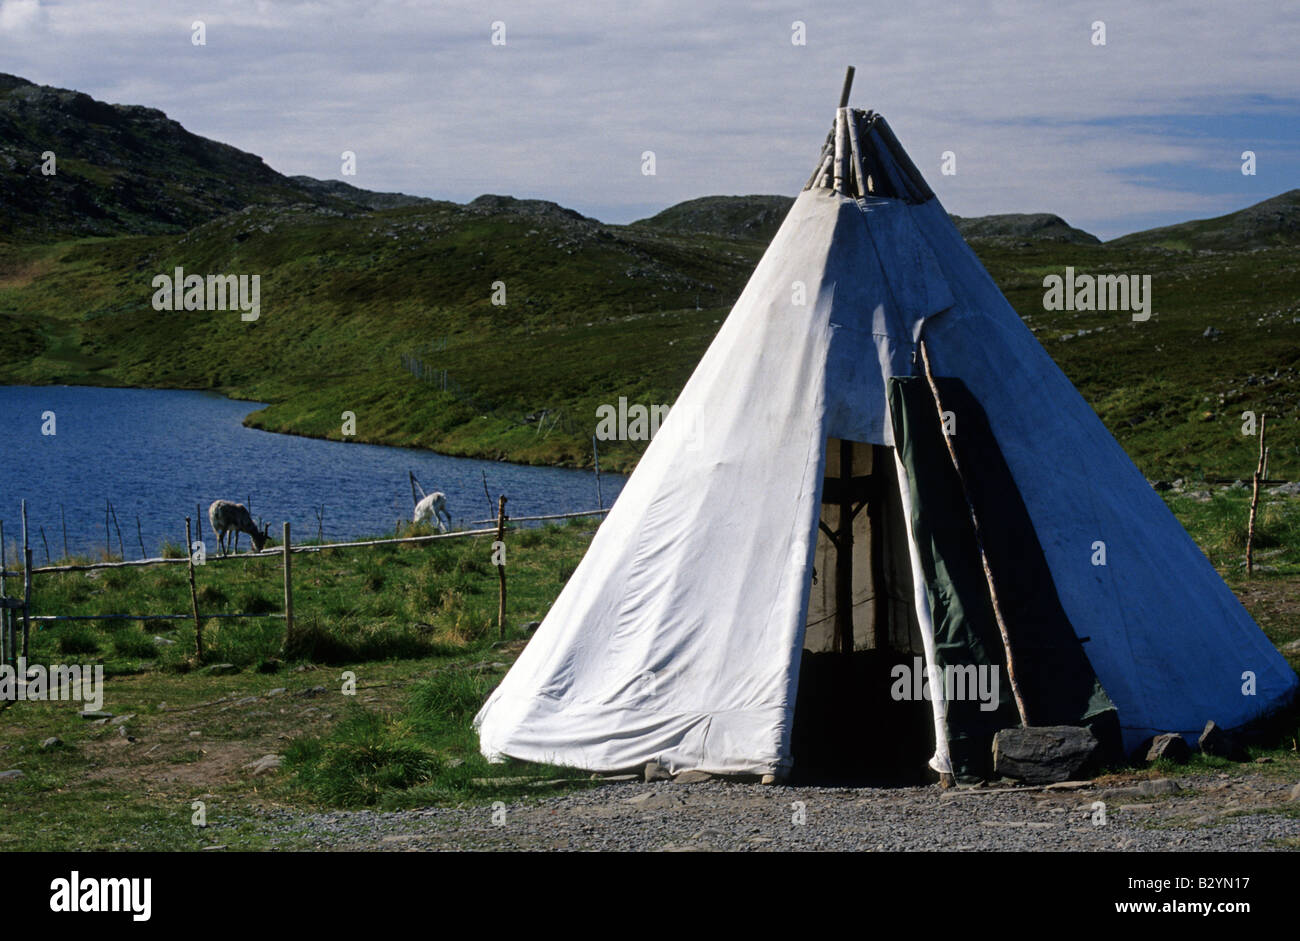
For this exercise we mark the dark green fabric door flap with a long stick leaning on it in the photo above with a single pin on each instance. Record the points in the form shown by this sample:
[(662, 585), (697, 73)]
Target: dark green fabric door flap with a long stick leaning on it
[(1058, 682)]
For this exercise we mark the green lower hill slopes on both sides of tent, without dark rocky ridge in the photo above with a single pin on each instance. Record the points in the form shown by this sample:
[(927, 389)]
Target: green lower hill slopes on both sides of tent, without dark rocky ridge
[(596, 313)]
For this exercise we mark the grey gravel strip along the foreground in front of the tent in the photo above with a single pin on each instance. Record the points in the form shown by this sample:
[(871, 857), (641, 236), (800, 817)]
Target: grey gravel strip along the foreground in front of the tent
[(1202, 814)]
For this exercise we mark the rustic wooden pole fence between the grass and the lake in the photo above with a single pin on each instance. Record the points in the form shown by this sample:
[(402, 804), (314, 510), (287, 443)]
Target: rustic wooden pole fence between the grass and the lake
[(16, 612)]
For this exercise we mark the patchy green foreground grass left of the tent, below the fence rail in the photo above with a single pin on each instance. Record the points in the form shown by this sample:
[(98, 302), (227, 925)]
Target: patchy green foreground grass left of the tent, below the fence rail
[(421, 647)]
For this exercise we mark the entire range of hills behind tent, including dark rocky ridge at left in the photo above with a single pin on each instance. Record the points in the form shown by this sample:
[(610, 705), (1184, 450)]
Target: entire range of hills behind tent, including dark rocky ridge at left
[(361, 289)]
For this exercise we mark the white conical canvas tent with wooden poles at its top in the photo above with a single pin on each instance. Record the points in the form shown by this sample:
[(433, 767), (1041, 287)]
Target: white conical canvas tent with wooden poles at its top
[(801, 506)]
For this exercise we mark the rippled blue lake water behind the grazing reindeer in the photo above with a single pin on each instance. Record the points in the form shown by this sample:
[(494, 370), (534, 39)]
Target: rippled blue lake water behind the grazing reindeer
[(157, 454)]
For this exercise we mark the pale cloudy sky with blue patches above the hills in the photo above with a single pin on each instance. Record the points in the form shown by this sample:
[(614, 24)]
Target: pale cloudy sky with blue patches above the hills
[(1147, 129)]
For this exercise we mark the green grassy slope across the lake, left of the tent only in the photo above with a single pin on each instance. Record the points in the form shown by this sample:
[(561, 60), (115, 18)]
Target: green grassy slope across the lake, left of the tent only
[(592, 313)]
